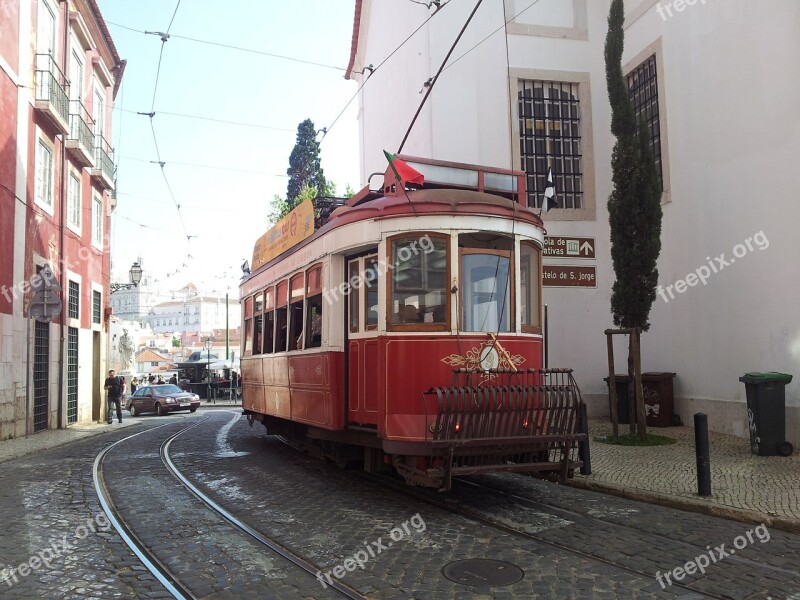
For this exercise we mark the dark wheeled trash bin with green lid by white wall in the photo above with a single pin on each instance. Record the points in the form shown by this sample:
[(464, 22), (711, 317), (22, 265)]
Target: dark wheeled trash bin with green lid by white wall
[(766, 413)]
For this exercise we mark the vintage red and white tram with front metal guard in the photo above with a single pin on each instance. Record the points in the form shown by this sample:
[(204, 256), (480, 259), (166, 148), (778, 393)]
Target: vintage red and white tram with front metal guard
[(403, 328)]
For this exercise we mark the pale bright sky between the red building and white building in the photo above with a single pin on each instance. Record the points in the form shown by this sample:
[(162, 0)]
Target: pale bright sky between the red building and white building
[(223, 176)]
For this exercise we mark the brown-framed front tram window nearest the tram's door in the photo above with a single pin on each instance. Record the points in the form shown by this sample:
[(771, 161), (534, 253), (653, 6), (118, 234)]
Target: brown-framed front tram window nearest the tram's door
[(418, 290)]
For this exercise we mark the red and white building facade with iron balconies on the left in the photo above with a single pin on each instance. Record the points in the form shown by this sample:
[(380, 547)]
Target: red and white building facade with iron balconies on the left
[(59, 75)]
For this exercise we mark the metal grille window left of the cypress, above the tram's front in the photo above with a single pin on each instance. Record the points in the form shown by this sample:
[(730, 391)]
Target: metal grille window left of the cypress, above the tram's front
[(550, 137)]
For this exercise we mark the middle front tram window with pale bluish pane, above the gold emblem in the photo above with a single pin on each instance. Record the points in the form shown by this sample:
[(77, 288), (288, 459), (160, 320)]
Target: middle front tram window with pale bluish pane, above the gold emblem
[(485, 290)]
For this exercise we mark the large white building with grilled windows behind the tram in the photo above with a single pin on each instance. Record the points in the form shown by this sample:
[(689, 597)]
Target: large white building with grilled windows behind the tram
[(718, 83)]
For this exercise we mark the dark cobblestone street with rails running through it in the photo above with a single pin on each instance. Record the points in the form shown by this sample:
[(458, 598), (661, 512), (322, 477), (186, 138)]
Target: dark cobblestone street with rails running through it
[(569, 543)]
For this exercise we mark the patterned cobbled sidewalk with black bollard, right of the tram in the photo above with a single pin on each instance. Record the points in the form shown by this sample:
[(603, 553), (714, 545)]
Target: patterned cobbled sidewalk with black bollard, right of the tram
[(758, 489)]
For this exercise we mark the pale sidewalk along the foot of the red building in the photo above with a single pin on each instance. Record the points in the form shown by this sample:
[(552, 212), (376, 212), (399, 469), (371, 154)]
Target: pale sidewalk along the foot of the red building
[(53, 438)]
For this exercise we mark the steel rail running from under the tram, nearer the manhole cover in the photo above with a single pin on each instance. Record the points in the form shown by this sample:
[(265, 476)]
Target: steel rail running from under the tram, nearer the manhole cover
[(476, 516)]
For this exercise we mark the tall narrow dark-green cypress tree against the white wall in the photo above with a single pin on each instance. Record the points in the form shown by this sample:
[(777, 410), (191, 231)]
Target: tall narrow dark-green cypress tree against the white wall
[(634, 206)]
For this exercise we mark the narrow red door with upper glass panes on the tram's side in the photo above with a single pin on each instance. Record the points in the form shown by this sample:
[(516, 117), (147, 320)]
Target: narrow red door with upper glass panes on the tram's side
[(362, 341)]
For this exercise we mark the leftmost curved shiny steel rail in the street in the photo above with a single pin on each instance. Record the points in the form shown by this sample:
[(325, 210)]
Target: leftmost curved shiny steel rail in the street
[(149, 560)]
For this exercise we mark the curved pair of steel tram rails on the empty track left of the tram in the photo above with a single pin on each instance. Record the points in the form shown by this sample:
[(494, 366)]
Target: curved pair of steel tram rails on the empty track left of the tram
[(158, 568)]
